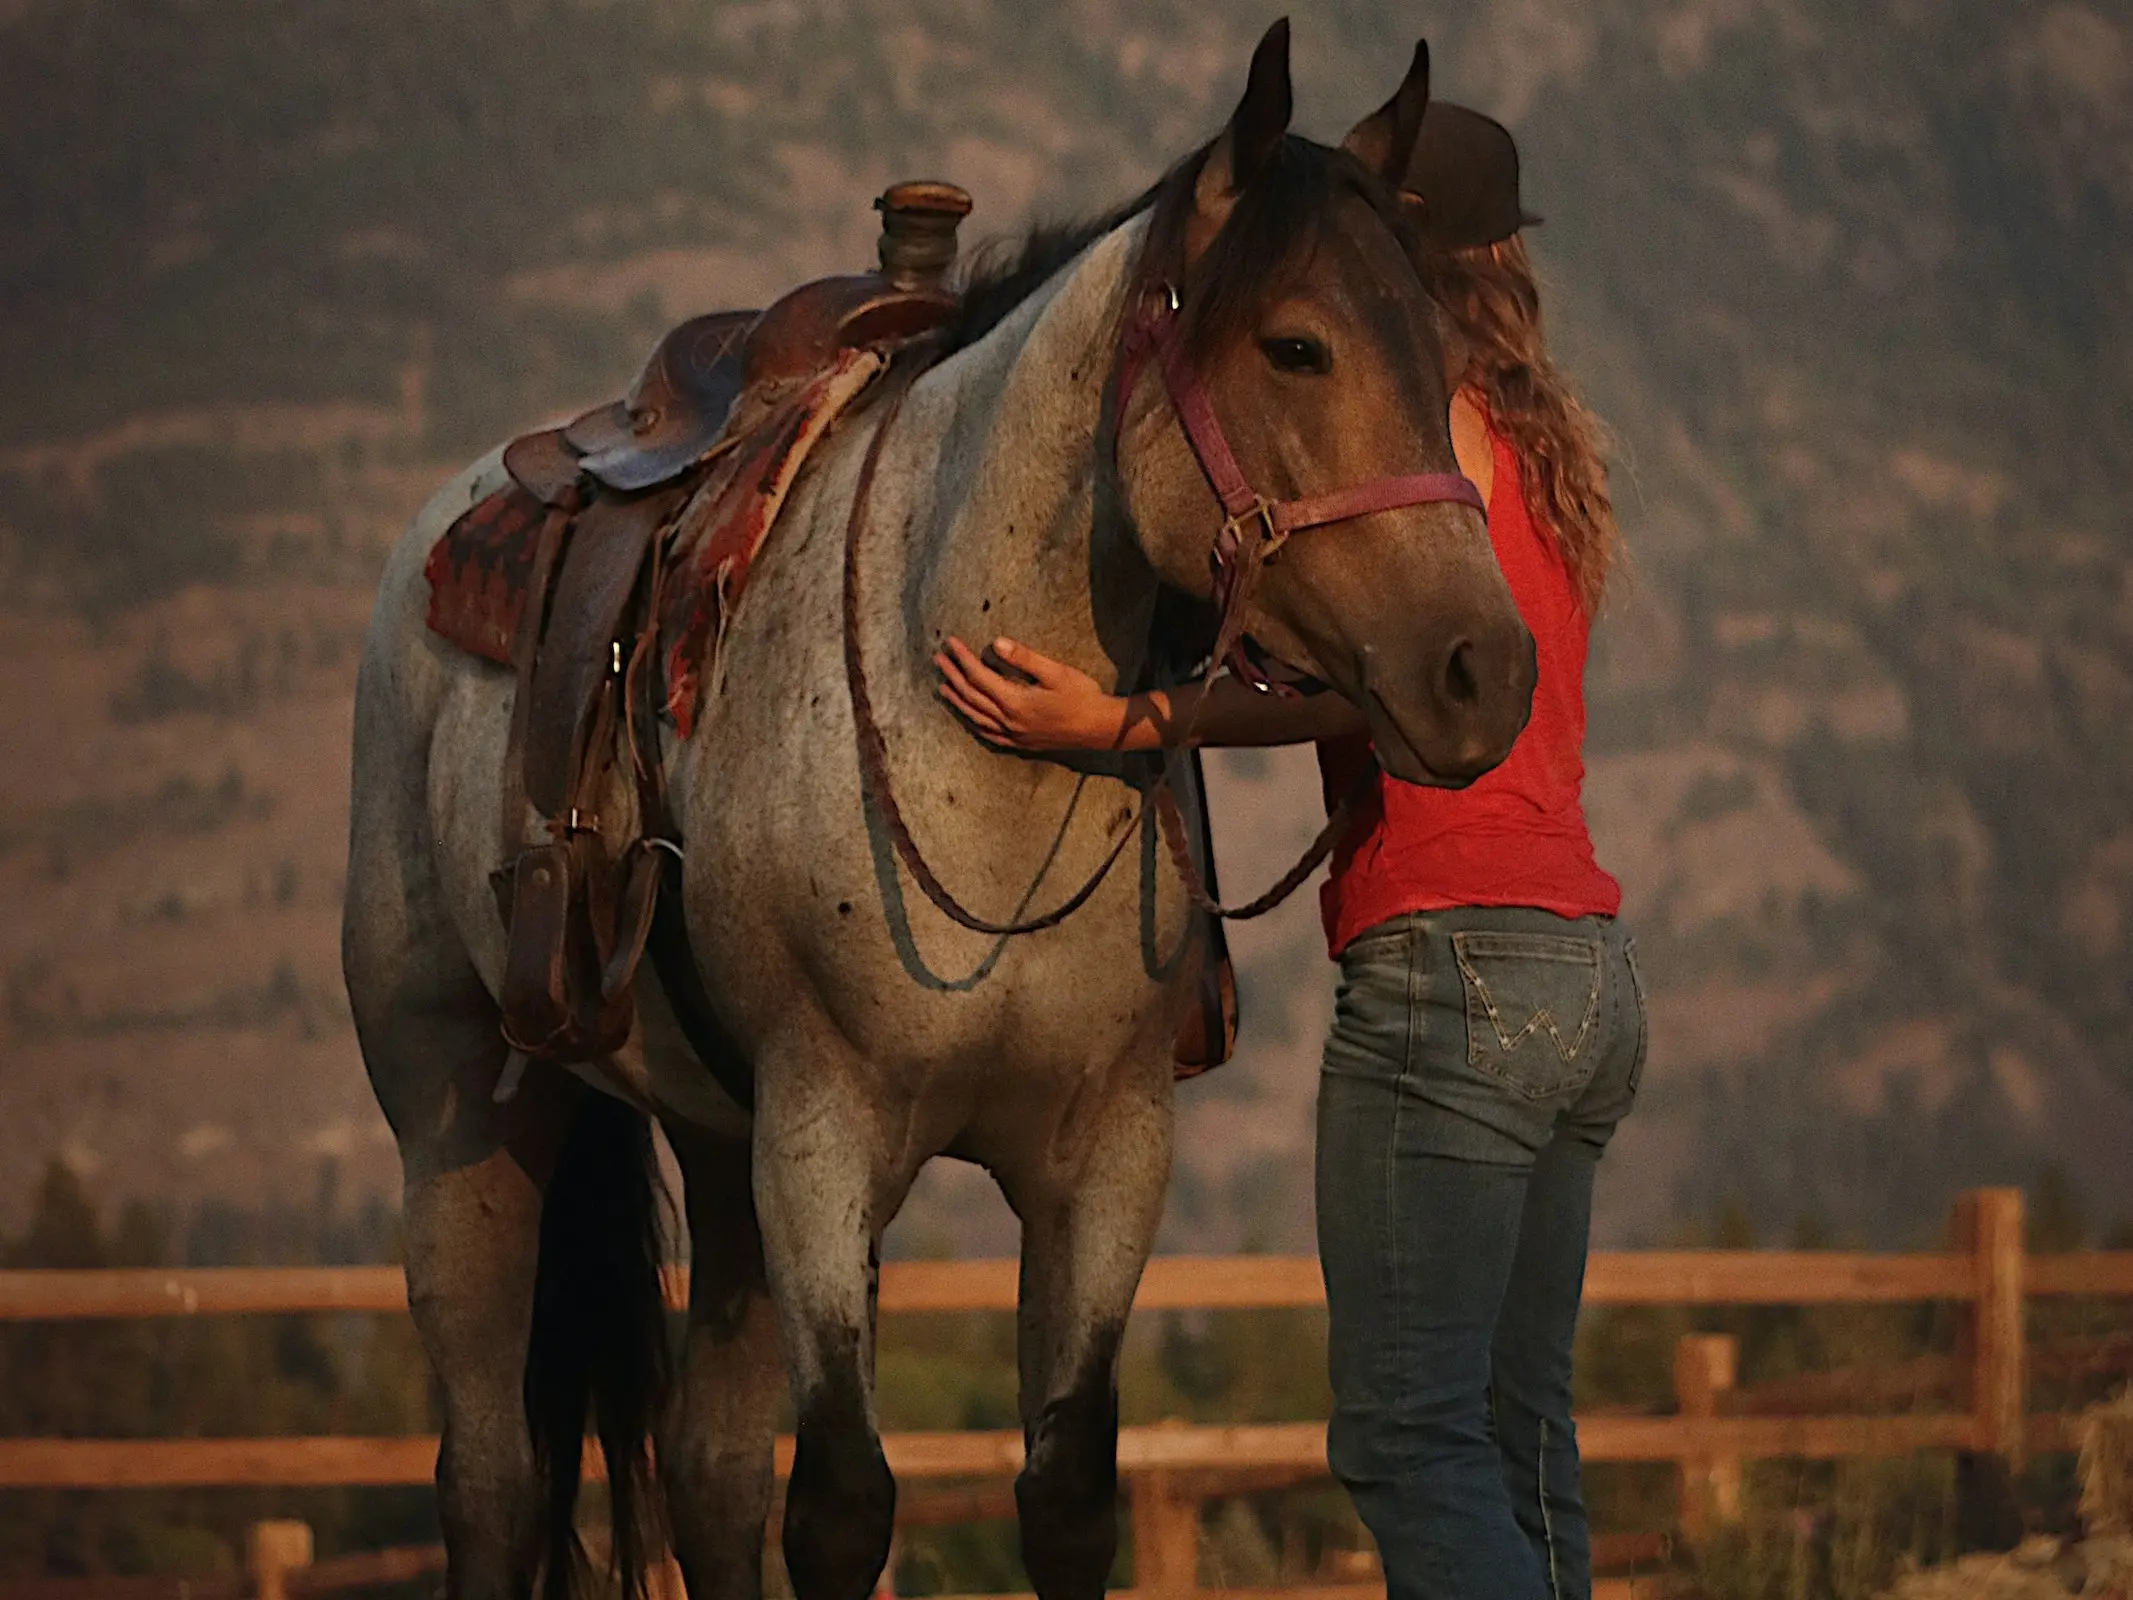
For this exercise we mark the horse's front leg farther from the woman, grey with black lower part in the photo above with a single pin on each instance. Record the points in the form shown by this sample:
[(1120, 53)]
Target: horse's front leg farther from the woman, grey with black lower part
[(820, 1187)]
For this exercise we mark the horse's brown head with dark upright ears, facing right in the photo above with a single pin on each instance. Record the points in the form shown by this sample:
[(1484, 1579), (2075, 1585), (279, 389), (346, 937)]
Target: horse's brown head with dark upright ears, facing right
[(1306, 323)]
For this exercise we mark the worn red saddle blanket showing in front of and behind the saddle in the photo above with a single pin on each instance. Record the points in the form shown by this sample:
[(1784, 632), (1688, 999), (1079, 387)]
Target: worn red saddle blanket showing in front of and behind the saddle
[(481, 569)]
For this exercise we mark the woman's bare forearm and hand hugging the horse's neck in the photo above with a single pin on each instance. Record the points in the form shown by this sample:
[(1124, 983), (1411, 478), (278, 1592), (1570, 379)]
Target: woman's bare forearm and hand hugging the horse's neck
[(1061, 709)]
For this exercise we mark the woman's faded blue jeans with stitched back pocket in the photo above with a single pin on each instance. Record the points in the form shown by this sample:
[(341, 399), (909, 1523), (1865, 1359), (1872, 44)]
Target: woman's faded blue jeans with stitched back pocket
[(1477, 1068)]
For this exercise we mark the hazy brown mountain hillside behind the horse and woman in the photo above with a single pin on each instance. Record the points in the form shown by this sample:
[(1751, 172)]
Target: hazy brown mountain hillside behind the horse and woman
[(1850, 285)]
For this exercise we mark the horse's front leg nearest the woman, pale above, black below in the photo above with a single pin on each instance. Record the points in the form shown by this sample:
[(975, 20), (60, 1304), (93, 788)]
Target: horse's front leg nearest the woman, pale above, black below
[(1089, 1219)]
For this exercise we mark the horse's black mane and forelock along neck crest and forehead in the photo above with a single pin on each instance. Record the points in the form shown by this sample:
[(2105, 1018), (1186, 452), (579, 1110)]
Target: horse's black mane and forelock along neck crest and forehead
[(1264, 246)]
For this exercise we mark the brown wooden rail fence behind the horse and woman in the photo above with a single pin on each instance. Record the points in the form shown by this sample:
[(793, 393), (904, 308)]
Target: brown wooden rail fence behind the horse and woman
[(1174, 1469)]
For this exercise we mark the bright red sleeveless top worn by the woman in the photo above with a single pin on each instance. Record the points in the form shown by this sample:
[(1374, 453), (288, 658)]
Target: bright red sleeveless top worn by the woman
[(1515, 835)]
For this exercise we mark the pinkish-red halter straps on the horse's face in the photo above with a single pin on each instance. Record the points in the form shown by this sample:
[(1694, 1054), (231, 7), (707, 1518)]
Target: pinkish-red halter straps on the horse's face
[(1240, 554)]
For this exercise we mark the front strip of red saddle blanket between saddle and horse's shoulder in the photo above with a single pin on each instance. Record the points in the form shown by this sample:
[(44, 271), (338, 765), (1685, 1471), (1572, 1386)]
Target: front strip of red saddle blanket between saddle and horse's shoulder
[(728, 519)]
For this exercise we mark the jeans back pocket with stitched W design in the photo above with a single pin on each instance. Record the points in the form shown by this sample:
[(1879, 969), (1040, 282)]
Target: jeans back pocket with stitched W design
[(1533, 1008)]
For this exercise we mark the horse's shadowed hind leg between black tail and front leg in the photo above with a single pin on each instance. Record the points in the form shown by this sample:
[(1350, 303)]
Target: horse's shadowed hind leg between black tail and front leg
[(718, 1439)]
